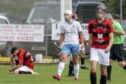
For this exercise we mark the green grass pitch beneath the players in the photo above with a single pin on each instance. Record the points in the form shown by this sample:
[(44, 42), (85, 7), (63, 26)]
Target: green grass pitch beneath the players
[(46, 72)]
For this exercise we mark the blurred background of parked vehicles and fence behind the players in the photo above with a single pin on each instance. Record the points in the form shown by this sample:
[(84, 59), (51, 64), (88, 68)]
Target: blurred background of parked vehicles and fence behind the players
[(50, 13)]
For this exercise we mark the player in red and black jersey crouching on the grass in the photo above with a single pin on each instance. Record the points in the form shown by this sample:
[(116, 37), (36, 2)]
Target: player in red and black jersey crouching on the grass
[(23, 62)]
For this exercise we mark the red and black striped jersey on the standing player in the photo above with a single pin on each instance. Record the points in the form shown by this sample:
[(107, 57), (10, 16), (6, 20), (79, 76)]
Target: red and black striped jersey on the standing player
[(100, 33)]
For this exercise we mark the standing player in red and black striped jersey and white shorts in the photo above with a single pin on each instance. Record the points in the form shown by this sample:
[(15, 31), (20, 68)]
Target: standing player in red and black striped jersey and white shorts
[(101, 40)]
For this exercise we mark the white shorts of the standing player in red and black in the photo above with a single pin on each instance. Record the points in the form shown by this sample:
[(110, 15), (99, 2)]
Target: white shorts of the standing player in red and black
[(100, 56)]
